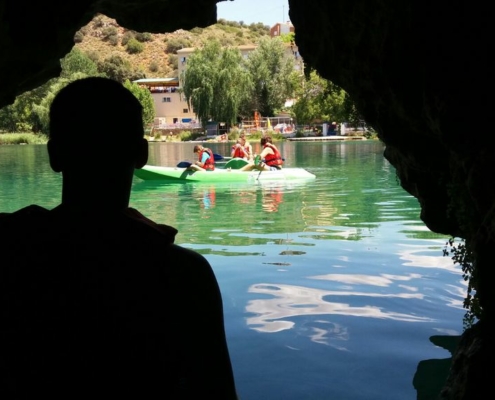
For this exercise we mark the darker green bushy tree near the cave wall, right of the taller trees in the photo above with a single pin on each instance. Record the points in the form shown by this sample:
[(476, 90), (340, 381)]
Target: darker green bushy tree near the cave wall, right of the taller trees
[(319, 99)]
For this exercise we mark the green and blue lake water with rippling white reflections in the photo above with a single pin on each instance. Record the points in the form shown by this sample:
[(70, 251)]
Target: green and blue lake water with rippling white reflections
[(332, 288)]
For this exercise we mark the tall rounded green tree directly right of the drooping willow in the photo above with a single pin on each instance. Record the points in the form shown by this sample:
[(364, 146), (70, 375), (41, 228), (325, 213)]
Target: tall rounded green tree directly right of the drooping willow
[(273, 75)]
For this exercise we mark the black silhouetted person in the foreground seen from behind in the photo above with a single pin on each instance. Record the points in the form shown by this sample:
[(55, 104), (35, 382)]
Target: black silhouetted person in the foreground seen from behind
[(97, 301)]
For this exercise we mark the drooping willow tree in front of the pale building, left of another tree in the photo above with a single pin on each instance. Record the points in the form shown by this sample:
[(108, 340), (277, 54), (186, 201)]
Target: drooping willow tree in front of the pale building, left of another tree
[(215, 83)]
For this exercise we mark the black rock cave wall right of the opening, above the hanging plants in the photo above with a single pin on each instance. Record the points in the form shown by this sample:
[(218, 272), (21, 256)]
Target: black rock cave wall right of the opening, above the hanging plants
[(420, 74)]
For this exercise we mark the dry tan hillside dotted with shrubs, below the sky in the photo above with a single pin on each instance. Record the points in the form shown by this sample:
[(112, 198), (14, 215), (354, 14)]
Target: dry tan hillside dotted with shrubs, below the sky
[(154, 54)]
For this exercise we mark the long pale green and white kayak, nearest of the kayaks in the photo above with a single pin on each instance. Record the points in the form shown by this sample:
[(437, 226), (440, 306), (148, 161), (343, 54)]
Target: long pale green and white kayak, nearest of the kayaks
[(175, 174)]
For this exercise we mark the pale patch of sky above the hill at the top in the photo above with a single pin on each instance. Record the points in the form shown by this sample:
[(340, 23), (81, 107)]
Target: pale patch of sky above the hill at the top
[(268, 12)]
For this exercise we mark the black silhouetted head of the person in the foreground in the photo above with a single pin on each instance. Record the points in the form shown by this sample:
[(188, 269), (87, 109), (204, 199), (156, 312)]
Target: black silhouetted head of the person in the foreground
[(95, 120)]
